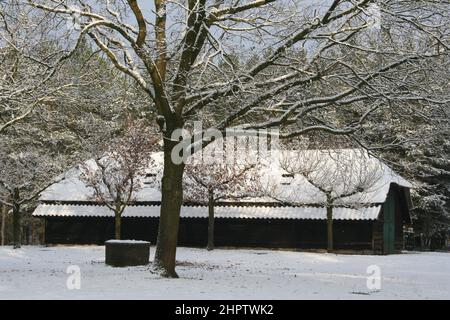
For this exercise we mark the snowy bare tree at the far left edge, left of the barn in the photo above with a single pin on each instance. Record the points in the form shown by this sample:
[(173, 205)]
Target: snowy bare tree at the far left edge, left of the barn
[(38, 78)]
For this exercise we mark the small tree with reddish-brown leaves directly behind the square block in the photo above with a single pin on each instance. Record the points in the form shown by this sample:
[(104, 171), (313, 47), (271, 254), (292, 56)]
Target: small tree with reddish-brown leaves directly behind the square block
[(117, 174)]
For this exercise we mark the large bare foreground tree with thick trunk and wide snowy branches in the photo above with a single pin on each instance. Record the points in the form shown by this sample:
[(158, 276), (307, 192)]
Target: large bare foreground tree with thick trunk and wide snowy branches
[(301, 67)]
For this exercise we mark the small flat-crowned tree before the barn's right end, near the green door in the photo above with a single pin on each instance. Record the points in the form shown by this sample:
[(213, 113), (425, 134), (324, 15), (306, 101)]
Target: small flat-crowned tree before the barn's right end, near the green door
[(342, 177)]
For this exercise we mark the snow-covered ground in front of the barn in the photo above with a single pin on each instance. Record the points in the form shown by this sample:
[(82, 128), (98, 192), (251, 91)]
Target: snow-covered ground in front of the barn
[(41, 273)]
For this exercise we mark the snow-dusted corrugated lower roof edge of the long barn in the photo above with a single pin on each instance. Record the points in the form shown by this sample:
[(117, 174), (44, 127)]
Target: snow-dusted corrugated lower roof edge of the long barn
[(243, 212)]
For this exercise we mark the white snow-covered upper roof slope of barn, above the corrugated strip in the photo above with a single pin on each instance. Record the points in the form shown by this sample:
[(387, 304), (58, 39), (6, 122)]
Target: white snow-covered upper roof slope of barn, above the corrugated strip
[(297, 191)]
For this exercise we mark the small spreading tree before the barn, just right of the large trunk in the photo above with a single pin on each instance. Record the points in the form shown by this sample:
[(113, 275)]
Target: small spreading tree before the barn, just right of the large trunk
[(212, 179)]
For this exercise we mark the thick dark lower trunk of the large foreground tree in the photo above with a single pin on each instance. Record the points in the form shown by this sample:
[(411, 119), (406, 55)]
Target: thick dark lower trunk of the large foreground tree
[(172, 198)]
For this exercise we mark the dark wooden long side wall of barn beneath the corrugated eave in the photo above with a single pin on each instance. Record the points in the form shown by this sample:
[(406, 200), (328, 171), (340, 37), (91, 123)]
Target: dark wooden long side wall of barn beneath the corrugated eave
[(270, 233)]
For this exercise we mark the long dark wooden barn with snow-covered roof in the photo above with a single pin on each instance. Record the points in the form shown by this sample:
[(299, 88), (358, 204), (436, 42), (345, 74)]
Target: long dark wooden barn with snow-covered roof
[(374, 226)]
